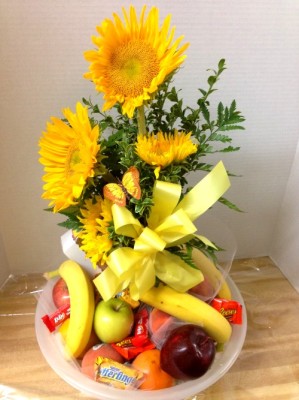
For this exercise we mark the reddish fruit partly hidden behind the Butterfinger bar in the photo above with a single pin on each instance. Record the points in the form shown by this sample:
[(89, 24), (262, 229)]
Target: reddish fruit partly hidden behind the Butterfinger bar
[(99, 350)]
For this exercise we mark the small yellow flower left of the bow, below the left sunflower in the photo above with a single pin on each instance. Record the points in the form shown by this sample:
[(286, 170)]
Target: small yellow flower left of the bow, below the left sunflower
[(94, 237)]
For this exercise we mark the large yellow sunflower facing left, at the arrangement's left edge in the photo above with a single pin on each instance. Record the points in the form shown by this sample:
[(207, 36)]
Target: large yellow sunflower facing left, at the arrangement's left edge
[(68, 154)]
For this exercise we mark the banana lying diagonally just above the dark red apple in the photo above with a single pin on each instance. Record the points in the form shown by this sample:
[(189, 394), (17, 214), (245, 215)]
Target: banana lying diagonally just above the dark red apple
[(189, 309)]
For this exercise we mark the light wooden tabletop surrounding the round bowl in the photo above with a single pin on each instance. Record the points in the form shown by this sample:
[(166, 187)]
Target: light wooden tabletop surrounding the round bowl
[(267, 367)]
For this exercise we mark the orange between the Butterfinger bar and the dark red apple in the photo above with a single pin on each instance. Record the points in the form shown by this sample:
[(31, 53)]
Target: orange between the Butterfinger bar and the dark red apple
[(148, 362)]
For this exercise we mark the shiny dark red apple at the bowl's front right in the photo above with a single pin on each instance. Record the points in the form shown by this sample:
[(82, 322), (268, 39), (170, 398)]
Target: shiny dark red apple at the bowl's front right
[(187, 352)]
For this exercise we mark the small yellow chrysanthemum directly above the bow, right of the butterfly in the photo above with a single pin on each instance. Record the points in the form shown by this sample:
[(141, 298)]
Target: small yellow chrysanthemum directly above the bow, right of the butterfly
[(163, 149)]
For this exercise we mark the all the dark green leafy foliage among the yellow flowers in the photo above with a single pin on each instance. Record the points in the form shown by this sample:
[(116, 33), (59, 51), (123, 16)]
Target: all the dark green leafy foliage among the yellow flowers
[(211, 126)]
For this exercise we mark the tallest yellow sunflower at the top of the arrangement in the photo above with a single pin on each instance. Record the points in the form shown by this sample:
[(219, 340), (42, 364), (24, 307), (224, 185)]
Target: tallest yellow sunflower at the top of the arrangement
[(133, 58)]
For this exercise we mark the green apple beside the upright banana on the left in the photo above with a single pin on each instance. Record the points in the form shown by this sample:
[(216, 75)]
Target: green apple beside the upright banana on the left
[(113, 320)]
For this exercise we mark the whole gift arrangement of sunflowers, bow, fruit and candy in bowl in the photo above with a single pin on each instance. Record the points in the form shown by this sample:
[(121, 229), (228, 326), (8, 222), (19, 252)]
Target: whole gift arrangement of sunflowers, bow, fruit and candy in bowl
[(120, 177)]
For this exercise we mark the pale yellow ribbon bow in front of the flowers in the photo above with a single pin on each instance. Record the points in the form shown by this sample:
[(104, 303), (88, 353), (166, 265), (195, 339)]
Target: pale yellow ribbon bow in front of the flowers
[(169, 224)]
